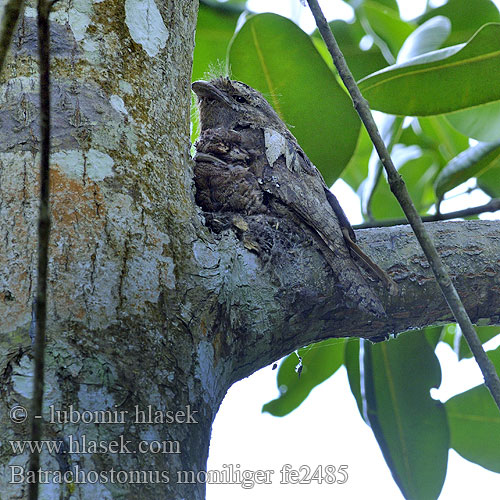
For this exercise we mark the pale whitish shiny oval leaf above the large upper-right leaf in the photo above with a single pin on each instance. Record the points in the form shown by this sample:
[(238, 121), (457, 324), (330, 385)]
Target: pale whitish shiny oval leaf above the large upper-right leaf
[(426, 38)]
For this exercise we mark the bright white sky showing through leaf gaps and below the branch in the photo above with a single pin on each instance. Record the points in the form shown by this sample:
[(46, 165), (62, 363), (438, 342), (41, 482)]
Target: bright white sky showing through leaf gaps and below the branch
[(327, 428)]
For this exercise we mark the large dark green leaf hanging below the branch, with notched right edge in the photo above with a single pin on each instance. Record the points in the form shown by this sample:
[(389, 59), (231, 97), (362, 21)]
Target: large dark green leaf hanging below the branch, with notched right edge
[(410, 427)]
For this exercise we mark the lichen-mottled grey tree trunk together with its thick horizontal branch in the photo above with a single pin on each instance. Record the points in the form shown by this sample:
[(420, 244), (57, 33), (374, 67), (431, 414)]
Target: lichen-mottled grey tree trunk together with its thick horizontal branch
[(155, 309)]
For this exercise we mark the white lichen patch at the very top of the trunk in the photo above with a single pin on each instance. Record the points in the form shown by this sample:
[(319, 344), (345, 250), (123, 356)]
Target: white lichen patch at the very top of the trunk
[(145, 25)]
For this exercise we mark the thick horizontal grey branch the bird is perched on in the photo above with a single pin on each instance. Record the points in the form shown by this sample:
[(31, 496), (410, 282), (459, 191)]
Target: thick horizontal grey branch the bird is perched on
[(284, 299)]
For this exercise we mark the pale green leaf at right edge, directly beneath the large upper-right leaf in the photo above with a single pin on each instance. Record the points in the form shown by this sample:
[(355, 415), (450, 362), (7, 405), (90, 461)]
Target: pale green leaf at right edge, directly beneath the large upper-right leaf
[(481, 123)]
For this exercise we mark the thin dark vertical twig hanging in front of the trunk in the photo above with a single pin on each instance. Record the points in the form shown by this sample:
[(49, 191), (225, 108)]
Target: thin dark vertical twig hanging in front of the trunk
[(43, 239)]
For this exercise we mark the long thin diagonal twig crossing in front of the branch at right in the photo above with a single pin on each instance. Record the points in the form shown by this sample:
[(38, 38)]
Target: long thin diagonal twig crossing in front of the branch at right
[(399, 190)]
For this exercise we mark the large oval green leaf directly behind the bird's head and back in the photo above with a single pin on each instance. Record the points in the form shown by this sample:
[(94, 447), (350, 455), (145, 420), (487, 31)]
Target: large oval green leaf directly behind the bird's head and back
[(276, 57)]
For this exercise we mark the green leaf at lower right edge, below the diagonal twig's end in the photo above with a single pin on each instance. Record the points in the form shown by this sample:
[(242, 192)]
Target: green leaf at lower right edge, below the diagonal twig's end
[(475, 423)]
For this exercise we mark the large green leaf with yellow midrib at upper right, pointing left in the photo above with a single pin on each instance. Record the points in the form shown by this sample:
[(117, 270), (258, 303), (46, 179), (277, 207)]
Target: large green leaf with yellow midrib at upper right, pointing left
[(446, 80)]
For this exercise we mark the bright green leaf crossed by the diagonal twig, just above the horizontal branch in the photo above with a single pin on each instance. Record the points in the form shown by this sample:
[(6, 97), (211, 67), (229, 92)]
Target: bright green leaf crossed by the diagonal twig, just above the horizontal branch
[(418, 174)]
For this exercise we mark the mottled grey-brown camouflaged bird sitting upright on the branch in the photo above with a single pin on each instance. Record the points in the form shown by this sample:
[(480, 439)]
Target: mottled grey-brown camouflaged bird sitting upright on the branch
[(248, 162)]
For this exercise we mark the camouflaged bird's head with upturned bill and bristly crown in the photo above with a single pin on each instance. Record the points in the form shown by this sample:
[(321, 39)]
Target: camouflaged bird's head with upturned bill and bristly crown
[(229, 103)]
